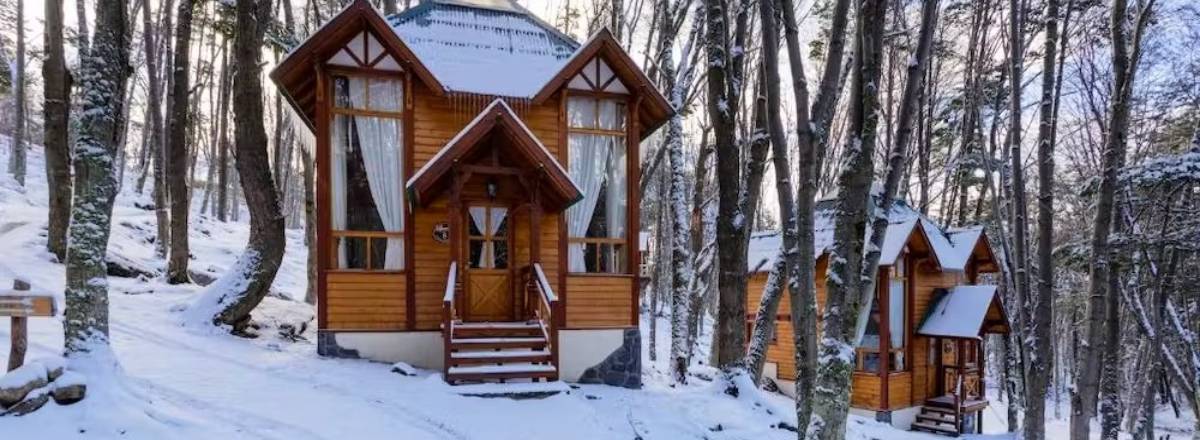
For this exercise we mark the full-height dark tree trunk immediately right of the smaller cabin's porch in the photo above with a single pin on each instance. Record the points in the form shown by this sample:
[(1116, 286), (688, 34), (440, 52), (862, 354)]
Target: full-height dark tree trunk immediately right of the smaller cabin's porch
[(1042, 312)]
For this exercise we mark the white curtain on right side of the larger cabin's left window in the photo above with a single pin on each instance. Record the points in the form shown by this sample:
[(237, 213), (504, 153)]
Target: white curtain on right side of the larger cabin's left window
[(382, 156)]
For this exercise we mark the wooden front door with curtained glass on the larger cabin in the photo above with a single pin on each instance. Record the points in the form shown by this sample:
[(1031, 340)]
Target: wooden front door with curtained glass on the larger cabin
[(489, 292)]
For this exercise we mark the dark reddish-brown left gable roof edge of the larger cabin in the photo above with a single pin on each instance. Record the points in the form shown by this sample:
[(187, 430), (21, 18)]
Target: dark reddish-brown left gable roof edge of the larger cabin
[(295, 73)]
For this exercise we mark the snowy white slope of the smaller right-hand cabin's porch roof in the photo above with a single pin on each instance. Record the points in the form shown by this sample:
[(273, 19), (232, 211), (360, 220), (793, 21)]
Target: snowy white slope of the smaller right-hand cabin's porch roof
[(961, 314)]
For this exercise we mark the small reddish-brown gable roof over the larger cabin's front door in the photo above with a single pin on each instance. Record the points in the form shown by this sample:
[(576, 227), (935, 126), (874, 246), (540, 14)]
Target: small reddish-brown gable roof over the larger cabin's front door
[(424, 185)]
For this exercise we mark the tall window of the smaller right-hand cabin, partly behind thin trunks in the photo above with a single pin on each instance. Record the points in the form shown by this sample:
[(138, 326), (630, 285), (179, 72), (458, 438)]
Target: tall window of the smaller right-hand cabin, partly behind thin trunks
[(871, 324)]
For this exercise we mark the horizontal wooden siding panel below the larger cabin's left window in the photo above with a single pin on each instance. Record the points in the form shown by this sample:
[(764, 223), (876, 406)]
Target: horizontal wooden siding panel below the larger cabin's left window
[(365, 302)]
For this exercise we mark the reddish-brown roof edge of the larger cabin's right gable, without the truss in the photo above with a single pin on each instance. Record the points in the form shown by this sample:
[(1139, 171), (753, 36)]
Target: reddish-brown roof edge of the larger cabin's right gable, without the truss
[(655, 110)]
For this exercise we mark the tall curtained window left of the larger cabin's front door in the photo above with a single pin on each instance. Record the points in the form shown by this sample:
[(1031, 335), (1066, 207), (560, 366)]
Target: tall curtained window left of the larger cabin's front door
[(368, 174)]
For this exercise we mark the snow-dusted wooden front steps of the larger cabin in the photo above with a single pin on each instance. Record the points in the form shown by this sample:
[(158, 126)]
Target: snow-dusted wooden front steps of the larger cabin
[(500, 352)]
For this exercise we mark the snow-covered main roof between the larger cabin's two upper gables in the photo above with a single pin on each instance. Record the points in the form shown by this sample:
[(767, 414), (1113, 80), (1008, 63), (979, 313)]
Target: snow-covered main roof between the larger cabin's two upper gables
[(488, 47)]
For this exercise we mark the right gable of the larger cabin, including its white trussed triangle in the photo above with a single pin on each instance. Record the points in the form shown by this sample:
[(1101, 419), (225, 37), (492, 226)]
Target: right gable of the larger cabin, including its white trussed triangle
[(622, 71)]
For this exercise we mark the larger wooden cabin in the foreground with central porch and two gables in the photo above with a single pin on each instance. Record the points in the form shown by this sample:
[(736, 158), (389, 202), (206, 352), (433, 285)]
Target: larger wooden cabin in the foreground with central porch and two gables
[(476, 201)]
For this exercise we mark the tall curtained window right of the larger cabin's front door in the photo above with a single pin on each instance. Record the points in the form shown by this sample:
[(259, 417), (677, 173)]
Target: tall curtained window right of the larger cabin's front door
[(597, 164)]
